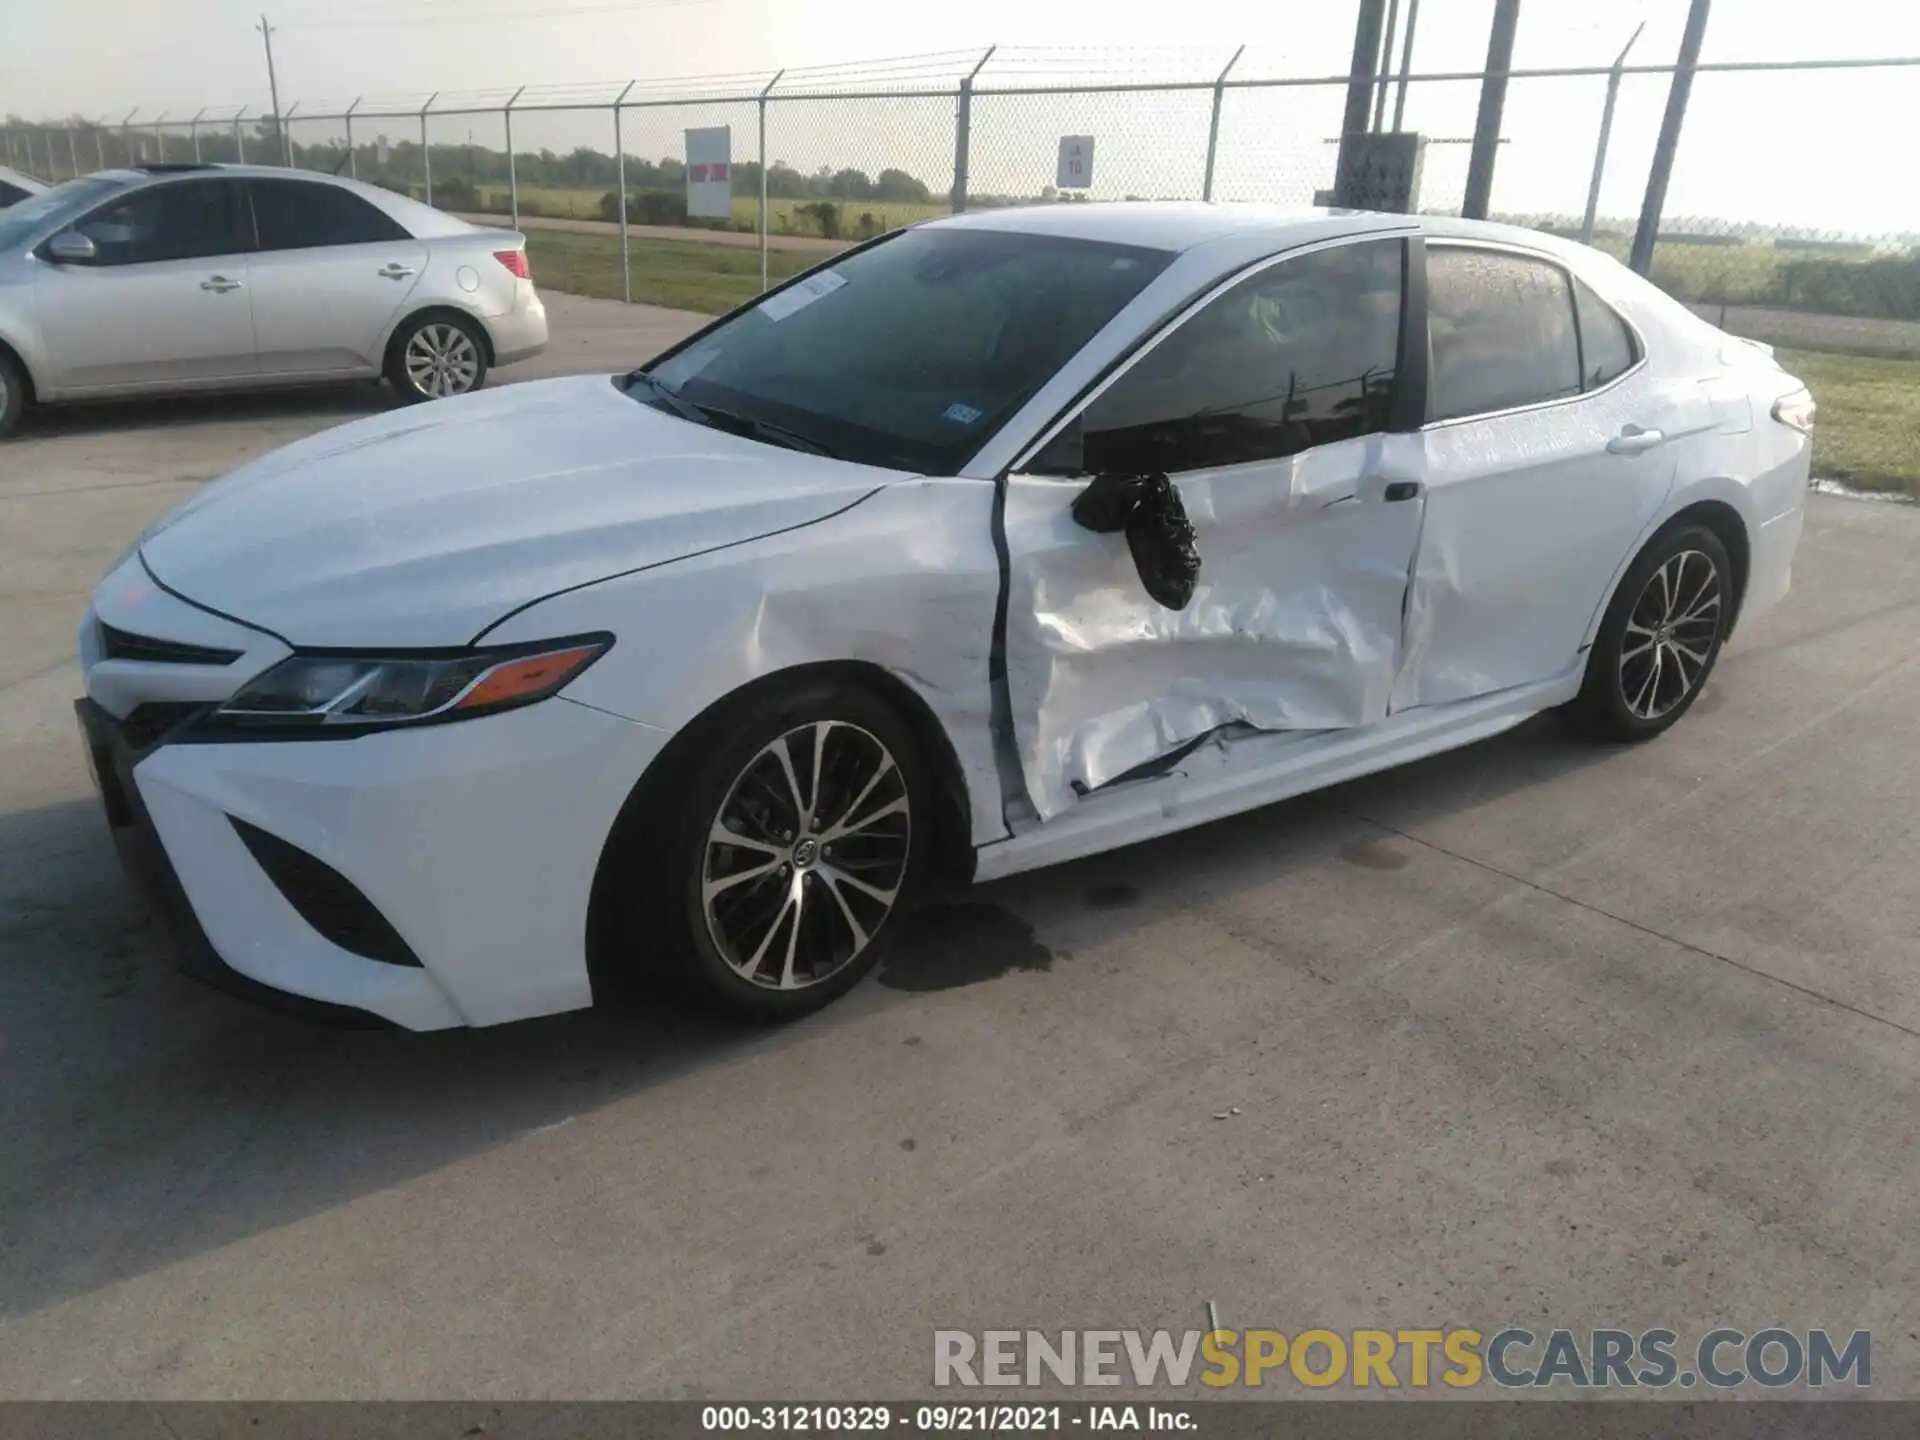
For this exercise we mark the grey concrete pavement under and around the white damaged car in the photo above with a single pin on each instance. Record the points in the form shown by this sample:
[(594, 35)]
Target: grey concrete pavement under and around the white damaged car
[(1531, 1034)]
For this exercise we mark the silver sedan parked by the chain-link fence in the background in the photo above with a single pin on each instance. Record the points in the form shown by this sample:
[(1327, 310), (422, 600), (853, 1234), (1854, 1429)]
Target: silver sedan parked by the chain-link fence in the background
[(214, 277)]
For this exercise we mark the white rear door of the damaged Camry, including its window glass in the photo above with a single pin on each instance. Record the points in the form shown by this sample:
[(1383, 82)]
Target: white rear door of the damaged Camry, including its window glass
[(1550, 446)]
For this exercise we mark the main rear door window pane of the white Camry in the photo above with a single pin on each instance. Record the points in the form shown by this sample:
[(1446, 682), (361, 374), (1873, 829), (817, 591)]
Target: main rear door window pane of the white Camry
[(1502, 333)]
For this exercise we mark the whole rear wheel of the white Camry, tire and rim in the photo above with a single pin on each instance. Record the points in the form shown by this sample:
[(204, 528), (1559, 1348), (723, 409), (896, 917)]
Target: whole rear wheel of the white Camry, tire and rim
[(1660, 638)]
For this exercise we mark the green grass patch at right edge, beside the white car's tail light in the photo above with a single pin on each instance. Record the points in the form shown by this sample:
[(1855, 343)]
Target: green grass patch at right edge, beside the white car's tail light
[(1869, 425)]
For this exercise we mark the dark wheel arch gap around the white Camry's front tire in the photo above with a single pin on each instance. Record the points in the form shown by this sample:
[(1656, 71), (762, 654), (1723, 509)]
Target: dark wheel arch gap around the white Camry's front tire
[(953, 838)]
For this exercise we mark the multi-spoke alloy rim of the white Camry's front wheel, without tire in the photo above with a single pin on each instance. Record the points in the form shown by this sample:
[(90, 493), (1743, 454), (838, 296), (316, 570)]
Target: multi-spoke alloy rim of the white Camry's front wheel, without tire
[(807, 855)]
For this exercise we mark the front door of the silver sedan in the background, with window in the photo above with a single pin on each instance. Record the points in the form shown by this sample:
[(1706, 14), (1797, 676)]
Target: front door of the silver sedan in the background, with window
[(166, 300)]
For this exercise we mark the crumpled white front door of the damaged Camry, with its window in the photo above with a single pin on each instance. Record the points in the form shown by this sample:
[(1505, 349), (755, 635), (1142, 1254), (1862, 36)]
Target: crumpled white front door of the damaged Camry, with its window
[(1276, 410)]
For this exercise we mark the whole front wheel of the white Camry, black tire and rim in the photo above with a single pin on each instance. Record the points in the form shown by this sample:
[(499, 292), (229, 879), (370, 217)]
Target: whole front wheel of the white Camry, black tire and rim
[(792, 850)]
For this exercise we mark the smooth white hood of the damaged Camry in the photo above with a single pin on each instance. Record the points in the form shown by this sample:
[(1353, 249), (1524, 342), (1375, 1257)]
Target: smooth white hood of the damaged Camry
[(425, 527)]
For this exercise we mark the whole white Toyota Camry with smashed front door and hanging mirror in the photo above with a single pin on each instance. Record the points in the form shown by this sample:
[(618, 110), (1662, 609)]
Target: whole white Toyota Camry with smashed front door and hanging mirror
[(996, 542)]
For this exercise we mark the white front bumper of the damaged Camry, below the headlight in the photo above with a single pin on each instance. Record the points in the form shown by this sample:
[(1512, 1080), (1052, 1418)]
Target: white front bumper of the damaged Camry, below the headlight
[(475, 842)]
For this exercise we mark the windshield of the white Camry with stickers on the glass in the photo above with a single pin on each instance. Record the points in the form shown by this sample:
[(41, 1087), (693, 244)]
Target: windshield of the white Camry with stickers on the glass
[(909, 354)]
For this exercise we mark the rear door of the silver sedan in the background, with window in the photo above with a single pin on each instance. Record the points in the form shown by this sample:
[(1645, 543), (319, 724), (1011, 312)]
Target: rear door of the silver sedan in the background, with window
[(329, 277)]
